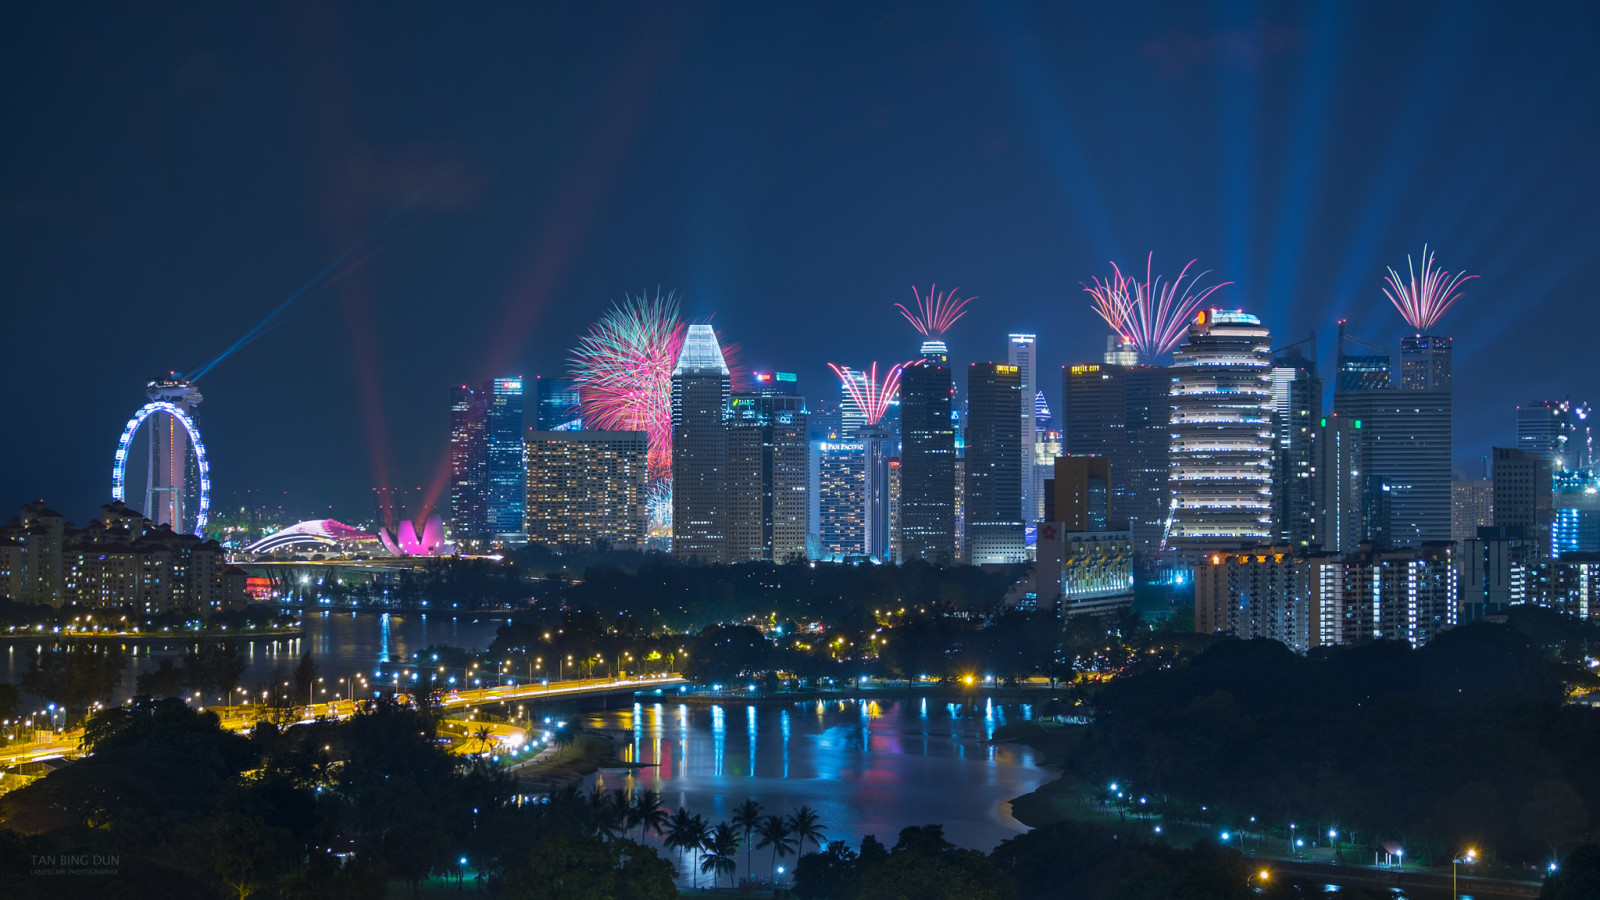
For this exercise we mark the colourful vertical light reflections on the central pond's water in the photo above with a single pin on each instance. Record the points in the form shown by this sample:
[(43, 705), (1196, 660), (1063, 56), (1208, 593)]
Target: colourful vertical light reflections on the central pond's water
[(868, 768)]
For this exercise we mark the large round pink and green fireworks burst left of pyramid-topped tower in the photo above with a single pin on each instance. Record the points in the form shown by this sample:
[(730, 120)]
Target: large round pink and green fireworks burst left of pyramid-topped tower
[(625, 372)]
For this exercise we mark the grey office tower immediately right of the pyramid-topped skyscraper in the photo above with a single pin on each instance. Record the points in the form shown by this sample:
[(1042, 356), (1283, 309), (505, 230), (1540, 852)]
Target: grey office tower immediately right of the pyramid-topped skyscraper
[(769, 472)]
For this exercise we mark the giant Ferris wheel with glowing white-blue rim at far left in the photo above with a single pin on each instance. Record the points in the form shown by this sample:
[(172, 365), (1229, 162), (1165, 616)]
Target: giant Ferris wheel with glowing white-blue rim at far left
[(178, 481)]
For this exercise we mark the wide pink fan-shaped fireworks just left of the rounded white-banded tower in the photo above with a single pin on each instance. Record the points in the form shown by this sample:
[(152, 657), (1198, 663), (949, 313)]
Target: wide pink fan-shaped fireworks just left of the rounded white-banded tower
[(1151, 315)]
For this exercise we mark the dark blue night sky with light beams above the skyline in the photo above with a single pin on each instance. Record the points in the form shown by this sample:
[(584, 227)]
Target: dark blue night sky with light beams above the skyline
[(172, 174)]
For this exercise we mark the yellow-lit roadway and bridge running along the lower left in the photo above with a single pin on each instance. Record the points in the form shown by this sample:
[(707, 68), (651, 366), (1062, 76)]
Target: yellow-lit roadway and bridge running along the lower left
[(246, 718)]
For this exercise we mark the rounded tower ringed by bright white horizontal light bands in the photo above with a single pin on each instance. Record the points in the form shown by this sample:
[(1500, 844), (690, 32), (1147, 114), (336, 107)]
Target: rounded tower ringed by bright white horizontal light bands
[(1222, 427)]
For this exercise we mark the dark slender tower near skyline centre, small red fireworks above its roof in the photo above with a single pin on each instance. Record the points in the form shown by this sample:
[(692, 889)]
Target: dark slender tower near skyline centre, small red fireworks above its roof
[(927, 464)]
